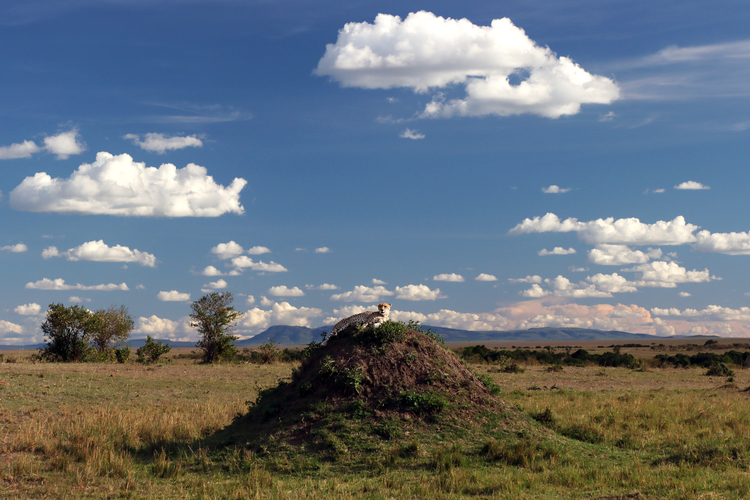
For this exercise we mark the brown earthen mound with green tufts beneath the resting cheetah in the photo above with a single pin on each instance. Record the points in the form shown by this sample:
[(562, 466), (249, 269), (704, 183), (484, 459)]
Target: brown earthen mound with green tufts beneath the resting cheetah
[(366, 386)]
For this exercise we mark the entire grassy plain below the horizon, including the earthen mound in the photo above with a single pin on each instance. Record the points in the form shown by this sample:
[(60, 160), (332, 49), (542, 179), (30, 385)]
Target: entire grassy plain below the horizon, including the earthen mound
[(377, 413)]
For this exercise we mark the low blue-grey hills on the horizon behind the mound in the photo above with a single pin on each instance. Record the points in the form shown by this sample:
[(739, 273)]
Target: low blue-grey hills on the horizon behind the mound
[(300, 335)]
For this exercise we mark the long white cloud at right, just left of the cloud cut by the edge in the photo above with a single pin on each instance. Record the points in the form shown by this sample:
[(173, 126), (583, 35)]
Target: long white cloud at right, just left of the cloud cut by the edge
[(629, 231)]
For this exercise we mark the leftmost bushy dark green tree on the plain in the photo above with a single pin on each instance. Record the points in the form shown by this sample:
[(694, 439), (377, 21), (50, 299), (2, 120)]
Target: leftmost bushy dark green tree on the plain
[(68, 331)]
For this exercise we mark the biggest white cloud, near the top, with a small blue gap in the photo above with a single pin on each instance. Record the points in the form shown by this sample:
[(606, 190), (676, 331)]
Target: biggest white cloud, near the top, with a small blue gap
[(503, 71)]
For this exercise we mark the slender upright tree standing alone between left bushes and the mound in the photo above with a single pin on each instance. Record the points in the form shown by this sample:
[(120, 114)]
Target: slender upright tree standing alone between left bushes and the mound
[(213, 316)]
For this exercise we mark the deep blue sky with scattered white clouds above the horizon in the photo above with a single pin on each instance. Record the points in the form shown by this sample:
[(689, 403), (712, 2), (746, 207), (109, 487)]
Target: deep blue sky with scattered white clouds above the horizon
[(491, 165)]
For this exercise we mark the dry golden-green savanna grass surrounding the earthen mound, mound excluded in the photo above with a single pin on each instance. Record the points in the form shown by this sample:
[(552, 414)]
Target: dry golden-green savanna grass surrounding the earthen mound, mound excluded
[(108, 430)]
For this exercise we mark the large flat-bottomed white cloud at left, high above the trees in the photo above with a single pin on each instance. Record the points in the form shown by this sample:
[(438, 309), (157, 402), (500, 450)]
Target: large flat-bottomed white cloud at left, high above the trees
[(117, 185)]
